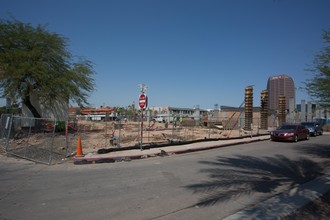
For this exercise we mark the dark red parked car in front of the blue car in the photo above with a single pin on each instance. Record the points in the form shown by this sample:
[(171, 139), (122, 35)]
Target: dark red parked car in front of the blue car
[(290, 133)]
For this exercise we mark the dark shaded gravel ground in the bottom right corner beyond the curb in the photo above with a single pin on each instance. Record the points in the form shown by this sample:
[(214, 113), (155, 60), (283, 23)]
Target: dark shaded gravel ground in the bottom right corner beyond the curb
[(318, 209)]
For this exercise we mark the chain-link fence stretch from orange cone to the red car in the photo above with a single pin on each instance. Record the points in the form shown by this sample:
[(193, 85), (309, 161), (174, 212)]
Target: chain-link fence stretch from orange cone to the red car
[(124, 133)]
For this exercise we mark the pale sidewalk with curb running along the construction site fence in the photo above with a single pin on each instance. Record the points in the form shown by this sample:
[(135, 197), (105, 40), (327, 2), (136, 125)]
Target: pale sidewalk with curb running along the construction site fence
[(133, 154)]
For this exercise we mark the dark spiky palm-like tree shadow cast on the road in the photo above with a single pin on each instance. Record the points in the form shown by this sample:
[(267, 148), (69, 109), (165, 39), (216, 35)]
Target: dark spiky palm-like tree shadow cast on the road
[(230, 178)]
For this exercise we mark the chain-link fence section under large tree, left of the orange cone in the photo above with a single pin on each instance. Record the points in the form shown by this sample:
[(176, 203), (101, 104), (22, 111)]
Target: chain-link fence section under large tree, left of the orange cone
[(38, 139)]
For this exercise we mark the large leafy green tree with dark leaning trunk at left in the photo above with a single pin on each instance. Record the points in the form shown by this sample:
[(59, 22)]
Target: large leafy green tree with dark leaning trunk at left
[(36, 62)]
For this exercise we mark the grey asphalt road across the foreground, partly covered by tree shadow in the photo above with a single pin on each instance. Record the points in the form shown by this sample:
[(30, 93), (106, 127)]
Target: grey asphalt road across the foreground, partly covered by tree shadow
[(211, 184)]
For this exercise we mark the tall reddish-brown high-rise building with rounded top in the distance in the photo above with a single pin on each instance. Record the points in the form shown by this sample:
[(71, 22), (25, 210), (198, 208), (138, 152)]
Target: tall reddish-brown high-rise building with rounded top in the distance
[(280, 85)]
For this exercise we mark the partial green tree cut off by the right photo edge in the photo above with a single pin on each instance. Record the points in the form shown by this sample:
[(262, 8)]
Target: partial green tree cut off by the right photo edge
[(319, 86)]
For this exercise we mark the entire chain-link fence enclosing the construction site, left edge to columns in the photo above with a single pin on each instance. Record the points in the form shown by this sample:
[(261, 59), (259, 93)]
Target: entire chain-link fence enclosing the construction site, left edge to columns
[(49, 141)]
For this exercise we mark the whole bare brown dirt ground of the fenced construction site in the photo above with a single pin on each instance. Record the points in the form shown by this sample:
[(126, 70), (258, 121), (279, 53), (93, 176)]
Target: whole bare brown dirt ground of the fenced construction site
[(55, 145)]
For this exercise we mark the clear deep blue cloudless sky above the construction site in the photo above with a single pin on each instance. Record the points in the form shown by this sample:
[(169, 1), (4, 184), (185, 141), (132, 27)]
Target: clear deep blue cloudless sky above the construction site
[(188, 52)]
